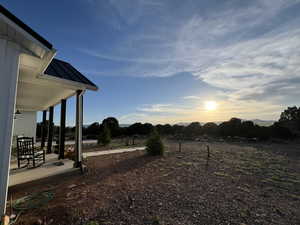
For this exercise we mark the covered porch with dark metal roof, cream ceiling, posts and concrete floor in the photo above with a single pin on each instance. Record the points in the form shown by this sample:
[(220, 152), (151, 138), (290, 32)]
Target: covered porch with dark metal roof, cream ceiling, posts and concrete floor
[(59, 82)]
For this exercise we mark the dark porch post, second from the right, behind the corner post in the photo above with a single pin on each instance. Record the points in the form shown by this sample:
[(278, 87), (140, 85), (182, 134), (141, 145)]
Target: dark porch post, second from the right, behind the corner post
[(62, 129)]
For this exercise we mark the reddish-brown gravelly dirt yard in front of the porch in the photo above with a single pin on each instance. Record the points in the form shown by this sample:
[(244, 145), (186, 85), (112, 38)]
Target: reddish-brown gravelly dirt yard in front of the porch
[(238, 184)]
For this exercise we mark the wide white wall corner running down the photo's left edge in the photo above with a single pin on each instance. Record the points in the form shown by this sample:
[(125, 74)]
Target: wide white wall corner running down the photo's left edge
[(9, 71)]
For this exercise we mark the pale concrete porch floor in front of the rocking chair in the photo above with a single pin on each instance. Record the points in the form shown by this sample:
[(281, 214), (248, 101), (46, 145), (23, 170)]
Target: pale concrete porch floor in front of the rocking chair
[(24, 175)]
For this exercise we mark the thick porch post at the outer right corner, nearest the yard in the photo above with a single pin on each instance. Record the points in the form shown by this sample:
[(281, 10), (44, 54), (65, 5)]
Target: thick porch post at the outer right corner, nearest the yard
[(78, 131)]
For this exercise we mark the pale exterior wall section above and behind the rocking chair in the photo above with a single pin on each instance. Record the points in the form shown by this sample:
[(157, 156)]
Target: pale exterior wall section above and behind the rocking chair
[(25, 124)]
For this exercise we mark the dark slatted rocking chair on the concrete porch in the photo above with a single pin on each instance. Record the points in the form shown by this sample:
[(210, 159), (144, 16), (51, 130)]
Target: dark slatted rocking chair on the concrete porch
[(27, 152)]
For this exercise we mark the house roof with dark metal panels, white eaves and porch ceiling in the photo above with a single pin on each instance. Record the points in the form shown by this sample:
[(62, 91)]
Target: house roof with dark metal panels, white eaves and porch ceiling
[(43, 80)]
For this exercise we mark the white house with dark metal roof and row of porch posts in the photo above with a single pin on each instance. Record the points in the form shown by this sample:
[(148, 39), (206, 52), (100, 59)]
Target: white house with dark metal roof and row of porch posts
[(33, 80)]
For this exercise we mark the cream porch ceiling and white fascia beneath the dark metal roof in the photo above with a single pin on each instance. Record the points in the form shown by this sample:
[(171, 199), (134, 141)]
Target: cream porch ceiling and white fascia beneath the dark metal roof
[(37, 92)]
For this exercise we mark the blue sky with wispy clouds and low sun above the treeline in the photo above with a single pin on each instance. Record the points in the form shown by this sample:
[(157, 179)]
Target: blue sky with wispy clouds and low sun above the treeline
[(161, 61)]
